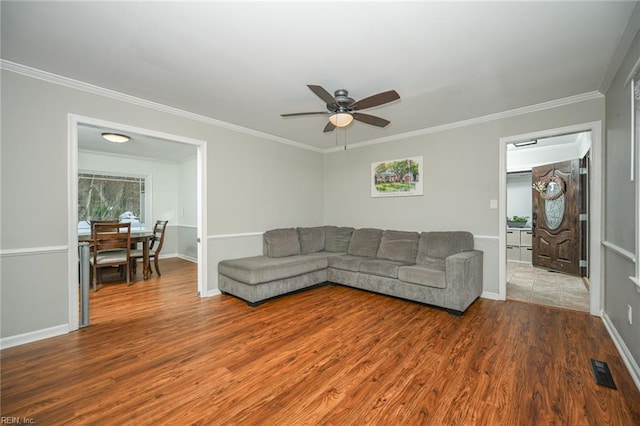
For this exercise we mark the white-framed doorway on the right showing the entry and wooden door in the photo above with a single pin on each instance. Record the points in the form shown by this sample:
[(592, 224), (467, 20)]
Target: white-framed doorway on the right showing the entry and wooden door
[(550, 218)]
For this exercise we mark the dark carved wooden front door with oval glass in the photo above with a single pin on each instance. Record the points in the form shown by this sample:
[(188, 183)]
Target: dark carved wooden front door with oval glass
[(556, 217)]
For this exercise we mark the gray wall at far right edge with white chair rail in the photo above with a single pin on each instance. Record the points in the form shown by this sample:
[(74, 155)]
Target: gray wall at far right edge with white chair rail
[(620, 210)]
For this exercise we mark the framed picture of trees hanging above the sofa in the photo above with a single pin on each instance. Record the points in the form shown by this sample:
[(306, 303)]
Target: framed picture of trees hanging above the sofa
[(397, 178)]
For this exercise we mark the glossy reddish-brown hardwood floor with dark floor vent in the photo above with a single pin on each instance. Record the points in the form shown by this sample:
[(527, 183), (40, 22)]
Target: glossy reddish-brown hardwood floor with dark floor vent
[(157, 354)]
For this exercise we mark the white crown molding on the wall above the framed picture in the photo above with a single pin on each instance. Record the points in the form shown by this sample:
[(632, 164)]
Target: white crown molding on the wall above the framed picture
[(478, 120)]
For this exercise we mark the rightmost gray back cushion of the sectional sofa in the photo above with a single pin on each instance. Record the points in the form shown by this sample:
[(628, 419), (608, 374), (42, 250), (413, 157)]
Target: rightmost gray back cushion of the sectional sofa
[(435, 247)]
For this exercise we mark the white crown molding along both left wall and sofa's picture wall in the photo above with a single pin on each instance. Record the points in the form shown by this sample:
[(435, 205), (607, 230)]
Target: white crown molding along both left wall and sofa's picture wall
[(112, 94)]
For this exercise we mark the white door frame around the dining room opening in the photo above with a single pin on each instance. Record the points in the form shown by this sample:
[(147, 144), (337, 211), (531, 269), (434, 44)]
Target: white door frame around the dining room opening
[(74, 121)]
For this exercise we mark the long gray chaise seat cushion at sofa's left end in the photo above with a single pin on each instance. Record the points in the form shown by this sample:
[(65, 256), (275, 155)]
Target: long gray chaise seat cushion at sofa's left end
[(261, 269)]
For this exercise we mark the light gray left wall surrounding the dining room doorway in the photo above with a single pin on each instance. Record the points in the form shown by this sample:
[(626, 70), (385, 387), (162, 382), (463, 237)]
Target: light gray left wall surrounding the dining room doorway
[(253, 184)]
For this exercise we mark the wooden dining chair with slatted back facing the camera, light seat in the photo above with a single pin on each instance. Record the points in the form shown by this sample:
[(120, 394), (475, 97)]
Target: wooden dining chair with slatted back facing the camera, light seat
[(111, 247)]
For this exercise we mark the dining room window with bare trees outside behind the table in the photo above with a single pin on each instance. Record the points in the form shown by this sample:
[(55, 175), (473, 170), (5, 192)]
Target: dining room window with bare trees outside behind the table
[(110, 197)]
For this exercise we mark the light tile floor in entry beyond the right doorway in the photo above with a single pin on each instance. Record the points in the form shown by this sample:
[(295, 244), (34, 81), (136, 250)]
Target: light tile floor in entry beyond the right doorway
[(536, 285)]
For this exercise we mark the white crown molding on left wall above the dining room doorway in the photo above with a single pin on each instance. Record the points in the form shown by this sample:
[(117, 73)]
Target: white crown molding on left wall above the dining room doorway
[(123, 97)]
